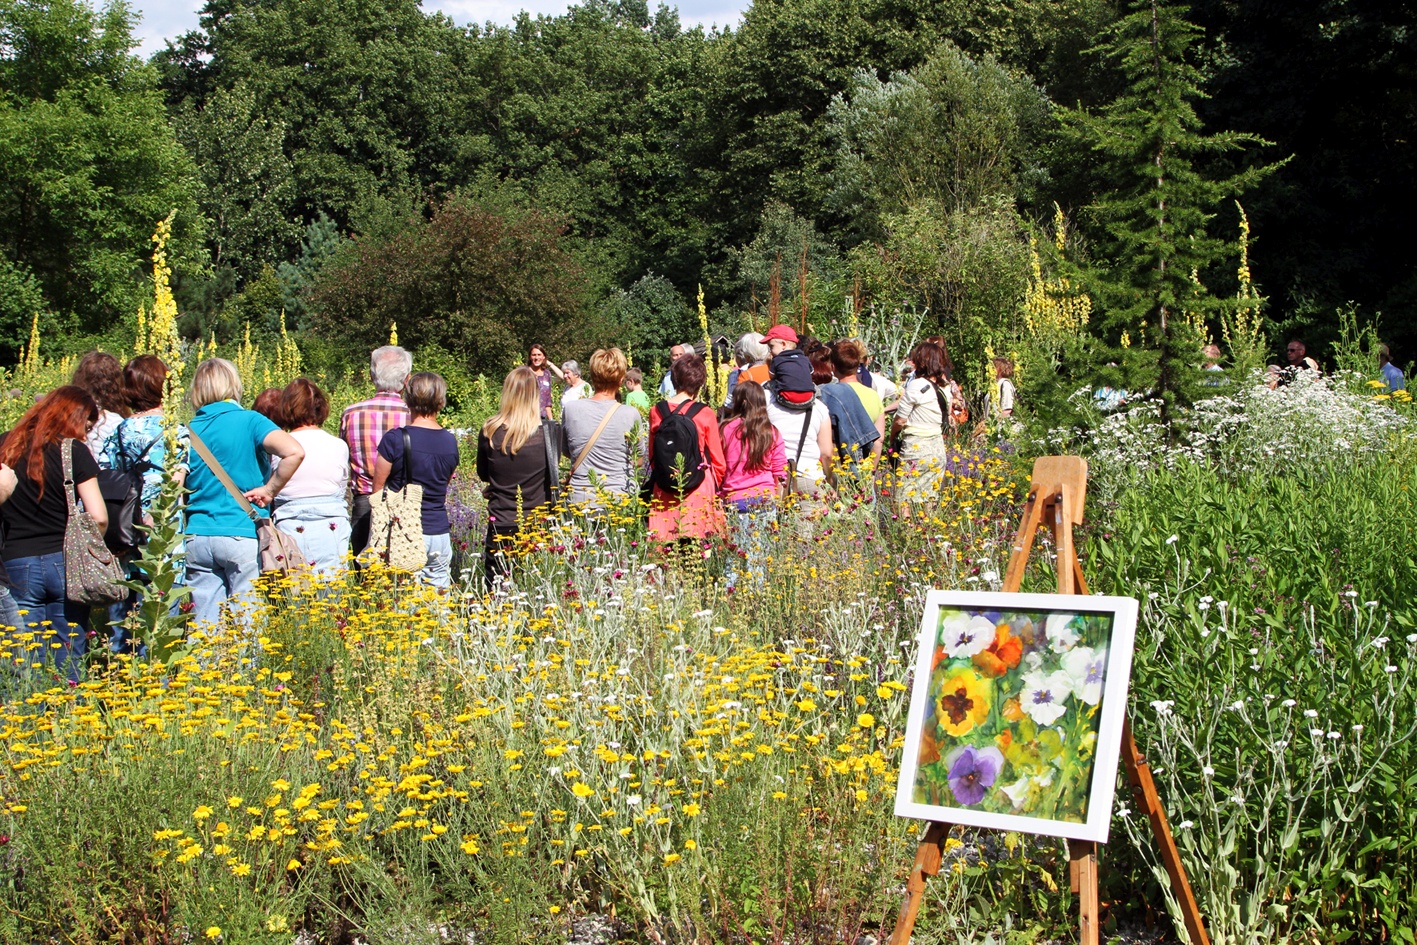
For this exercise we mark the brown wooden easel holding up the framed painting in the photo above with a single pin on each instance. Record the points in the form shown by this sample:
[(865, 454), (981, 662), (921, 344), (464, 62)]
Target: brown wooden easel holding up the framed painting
[(1058, 497)]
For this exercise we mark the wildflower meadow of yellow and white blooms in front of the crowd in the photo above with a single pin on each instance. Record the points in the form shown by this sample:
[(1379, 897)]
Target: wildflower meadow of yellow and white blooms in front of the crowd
[(621, 736)]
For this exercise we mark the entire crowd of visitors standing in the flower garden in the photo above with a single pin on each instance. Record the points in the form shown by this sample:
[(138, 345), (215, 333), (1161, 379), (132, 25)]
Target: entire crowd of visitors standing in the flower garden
[(801, 423)]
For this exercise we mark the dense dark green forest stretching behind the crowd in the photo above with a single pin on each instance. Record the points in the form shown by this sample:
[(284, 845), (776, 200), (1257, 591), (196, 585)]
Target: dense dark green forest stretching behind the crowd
[(577, 179)]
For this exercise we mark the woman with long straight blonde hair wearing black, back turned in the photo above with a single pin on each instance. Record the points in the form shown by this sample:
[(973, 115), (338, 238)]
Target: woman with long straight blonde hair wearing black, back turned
[(515, 458)]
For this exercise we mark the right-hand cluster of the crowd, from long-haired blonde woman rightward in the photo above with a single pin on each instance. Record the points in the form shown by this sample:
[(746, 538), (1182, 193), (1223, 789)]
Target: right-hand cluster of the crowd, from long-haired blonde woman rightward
[(801, 420)]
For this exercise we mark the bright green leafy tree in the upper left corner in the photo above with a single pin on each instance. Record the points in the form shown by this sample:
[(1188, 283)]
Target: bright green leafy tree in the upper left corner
[(89, 161)]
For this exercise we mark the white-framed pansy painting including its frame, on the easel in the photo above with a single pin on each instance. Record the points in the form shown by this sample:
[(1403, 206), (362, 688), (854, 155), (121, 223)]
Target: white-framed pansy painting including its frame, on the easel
[(1017, 712)]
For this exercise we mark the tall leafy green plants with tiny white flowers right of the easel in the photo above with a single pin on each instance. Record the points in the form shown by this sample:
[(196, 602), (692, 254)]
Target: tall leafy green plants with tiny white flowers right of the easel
[(1273, 685)]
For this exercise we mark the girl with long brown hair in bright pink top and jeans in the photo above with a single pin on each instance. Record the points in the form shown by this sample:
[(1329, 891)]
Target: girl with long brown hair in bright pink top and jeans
[(757, 468)]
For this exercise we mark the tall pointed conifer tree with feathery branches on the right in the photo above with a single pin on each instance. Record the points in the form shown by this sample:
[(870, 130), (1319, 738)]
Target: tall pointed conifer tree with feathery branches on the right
[(1157, 205)]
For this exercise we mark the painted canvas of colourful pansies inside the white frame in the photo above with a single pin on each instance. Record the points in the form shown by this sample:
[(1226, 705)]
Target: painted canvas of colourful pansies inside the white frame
[(1014, 711)]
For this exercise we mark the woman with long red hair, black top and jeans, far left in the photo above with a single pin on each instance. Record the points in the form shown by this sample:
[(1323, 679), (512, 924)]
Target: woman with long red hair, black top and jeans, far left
[(38, 512)]
